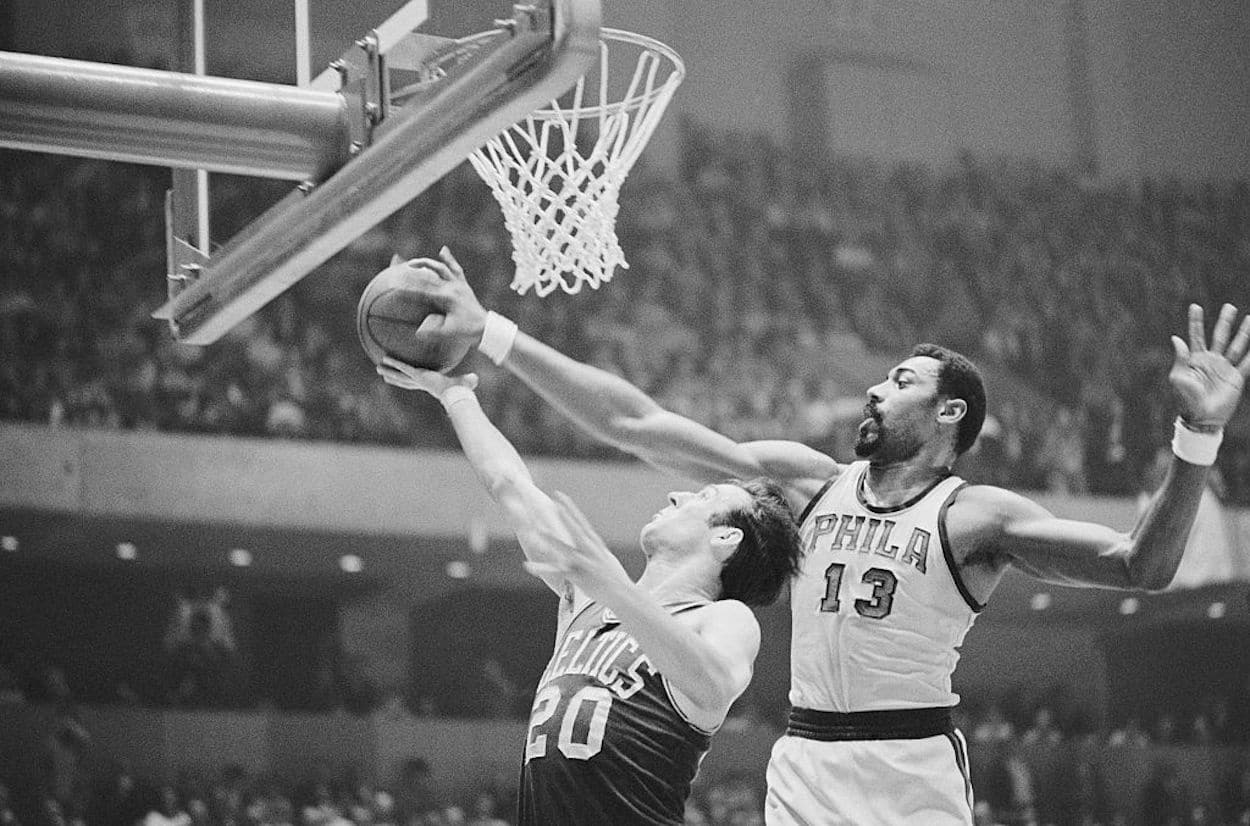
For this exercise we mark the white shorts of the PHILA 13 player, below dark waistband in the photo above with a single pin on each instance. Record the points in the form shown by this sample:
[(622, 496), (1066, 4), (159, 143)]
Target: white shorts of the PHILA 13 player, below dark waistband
[(869, 783)]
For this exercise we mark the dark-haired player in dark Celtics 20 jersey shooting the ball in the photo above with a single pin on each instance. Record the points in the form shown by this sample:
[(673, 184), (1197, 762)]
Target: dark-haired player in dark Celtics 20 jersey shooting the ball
[(643, 673)]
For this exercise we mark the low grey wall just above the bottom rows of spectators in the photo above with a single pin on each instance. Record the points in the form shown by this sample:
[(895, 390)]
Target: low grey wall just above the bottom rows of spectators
[(466, 755)]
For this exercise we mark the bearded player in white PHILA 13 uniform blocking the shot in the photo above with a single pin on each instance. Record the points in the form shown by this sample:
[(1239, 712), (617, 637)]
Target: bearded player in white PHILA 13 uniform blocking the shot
[(899, 554)]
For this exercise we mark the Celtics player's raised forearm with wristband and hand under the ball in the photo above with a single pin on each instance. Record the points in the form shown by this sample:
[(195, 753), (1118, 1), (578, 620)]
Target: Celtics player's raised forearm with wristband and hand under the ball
[(501, 469)]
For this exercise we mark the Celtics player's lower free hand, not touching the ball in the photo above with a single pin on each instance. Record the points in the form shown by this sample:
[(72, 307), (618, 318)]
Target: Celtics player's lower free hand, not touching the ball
[(584, 559)]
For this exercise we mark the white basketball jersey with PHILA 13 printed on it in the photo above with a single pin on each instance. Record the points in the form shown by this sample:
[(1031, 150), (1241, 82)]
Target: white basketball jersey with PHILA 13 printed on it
[(878, 610)]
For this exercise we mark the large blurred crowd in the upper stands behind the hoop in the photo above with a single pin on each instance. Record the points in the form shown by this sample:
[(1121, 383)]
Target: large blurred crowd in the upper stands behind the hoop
[(762, 288)]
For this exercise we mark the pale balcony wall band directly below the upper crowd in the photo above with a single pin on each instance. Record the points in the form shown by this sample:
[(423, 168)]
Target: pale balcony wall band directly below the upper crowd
[(372, 490)]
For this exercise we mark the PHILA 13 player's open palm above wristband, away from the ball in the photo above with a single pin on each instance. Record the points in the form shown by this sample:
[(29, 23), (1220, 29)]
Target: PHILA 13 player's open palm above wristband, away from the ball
[(1209, 381)]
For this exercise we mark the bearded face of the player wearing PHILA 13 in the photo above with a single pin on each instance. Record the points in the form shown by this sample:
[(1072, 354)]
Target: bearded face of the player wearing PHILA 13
[(899, 415)]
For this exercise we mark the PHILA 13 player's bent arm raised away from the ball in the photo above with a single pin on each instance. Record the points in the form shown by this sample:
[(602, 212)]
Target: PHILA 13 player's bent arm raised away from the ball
[(1208, 383)]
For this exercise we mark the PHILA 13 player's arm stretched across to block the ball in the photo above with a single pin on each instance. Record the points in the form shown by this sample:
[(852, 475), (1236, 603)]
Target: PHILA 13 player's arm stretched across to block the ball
[(613, 409)]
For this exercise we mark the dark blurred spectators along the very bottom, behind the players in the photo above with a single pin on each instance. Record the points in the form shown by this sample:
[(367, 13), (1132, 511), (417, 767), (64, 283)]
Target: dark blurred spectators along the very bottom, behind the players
[(1044, 773)]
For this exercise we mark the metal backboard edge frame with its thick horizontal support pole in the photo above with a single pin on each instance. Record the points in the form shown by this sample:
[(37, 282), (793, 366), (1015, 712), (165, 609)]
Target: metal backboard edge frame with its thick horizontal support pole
[(361, 159)]
